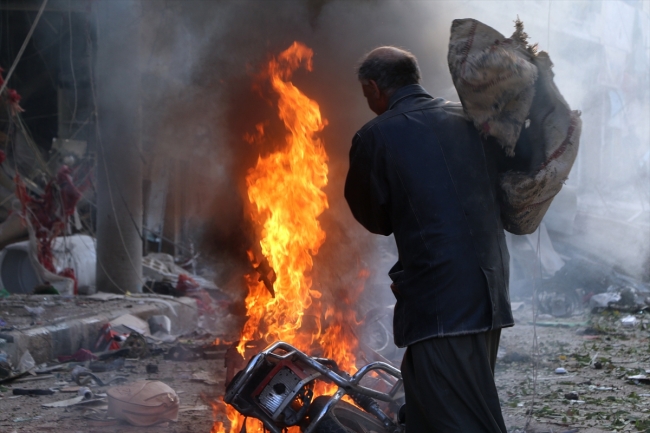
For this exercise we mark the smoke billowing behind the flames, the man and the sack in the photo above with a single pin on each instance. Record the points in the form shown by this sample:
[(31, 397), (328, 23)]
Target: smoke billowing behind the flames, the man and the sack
[(201, 95)]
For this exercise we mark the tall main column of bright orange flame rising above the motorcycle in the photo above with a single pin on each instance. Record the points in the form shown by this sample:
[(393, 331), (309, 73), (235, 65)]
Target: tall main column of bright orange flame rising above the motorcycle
[(285, 189)]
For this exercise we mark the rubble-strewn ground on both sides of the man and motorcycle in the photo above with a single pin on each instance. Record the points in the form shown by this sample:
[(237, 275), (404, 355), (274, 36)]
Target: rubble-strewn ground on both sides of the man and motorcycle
[(598, 352)]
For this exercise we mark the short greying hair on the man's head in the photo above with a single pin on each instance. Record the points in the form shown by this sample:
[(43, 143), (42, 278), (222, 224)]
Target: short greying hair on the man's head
[(390, 67)]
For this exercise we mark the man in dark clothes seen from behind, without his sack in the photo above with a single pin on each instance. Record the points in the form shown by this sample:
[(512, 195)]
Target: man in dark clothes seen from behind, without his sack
[(420, 170)]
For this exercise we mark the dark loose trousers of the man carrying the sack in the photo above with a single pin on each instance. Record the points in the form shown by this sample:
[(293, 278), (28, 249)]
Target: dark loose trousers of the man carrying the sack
[(449, 385)]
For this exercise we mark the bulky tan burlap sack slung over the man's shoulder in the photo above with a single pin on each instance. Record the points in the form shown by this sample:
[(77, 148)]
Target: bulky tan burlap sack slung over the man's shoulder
[(504, 85)]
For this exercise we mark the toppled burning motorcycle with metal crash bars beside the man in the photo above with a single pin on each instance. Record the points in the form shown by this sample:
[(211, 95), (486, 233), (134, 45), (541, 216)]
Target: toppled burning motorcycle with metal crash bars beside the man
[(277, 387)]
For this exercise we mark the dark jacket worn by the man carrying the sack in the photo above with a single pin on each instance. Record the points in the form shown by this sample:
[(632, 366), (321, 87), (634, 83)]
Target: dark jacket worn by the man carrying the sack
[(421, 171)]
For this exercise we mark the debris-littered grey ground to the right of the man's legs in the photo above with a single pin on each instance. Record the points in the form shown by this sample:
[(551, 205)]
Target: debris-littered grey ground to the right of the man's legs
[(599, 354)]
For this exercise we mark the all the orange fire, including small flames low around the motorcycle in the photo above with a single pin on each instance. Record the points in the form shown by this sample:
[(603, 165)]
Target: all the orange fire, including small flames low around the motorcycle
[(286, 196)]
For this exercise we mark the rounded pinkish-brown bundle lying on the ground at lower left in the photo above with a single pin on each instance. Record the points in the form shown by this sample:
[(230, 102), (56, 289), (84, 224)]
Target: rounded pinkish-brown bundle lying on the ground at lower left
[(143, 403)]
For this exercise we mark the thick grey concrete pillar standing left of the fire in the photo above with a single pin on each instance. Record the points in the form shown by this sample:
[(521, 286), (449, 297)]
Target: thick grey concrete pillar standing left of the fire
[(119, 166)]
